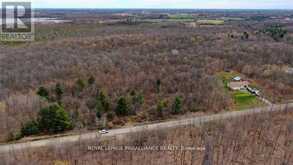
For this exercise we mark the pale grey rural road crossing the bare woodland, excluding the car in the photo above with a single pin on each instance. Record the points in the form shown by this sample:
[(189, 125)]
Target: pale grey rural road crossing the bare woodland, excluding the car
[(123, 131)]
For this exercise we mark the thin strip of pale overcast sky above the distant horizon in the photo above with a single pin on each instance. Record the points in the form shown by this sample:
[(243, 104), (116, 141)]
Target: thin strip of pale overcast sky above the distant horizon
[(191, 4)]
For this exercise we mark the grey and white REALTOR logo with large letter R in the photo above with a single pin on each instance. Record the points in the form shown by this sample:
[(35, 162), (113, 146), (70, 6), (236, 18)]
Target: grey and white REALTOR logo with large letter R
[(16, 21)]
